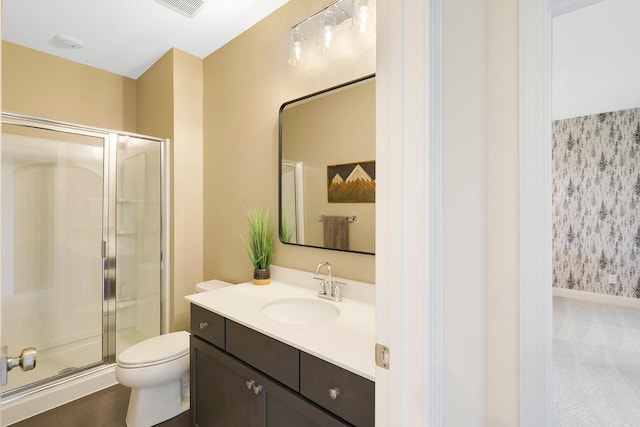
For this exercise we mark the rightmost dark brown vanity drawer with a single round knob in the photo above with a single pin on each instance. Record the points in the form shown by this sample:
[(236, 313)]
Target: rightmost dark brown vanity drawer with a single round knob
[(355, 401)]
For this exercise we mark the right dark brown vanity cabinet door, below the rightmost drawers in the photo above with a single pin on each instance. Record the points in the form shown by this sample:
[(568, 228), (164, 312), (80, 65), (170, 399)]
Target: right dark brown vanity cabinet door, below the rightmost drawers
[(285, 408)]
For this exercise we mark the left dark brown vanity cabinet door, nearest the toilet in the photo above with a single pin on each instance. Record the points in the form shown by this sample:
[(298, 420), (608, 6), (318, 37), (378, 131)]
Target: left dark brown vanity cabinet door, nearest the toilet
[(219, 392)]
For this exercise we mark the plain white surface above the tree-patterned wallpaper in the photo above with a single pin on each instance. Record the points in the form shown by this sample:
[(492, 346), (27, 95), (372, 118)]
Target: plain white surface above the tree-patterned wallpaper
[(596, 59)]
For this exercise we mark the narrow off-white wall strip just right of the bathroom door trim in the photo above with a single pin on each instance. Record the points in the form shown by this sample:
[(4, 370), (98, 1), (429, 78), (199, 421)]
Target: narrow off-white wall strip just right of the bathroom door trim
[(465, 192)]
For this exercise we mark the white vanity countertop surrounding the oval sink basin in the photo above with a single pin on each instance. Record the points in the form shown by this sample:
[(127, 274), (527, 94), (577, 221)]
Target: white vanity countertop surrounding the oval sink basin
[(348, 341)]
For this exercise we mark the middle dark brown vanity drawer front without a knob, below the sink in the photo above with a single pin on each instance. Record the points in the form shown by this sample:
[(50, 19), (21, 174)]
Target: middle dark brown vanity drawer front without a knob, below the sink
[(276, 359)]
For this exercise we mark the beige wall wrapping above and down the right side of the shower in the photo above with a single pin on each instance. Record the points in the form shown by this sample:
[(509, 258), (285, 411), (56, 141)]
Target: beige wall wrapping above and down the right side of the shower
[(166, 101)]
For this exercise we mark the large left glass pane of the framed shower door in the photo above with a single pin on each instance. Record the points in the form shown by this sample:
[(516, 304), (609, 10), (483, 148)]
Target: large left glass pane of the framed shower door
[(52, 249)]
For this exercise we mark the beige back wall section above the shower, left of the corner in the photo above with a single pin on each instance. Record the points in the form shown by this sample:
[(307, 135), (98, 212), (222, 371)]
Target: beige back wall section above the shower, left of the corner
[(41, 85)]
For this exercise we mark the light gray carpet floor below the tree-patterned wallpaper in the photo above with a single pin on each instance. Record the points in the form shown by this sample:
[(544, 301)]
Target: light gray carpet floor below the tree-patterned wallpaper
[(596, 364)]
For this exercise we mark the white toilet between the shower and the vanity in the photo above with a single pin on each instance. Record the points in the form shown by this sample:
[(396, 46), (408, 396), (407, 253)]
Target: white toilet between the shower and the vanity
[(157, 371)]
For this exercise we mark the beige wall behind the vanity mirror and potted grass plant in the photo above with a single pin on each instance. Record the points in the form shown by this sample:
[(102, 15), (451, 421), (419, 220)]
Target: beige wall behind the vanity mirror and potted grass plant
[(245, 82)]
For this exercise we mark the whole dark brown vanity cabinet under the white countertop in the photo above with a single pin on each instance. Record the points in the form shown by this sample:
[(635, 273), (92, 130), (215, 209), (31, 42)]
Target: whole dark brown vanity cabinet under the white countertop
[(249, 379)]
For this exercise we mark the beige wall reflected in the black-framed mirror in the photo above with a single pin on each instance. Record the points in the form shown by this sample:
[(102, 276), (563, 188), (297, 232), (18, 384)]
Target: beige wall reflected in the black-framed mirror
[(334, 129)]
